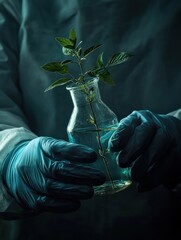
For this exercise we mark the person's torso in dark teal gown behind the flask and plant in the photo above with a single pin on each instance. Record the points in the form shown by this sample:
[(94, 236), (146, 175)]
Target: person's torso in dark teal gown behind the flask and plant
[(151, 80)]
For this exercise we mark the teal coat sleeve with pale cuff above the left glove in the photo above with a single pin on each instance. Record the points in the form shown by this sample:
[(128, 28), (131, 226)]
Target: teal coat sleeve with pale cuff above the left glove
[(13, 123)]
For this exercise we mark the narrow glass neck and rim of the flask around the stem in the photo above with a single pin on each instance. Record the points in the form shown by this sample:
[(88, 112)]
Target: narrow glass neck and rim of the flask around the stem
[(84, 94)]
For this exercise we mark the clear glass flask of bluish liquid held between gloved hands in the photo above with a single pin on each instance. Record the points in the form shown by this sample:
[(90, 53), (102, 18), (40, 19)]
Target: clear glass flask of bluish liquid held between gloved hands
[(92, 123)]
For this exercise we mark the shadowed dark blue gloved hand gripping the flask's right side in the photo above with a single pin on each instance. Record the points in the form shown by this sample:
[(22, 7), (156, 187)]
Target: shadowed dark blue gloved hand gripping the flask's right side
[(151, 145)]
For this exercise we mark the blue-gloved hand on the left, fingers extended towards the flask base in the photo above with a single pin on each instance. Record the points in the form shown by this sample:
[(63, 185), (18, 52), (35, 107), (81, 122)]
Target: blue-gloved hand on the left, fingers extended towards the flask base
[(45, 174)]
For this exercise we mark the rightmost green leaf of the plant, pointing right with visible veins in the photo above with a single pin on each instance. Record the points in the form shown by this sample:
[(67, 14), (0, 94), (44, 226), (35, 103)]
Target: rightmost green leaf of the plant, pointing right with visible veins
[(119, 58)]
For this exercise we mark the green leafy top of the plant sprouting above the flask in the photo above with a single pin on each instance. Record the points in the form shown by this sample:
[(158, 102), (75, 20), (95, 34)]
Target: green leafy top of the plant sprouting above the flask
[(78, 55)]
